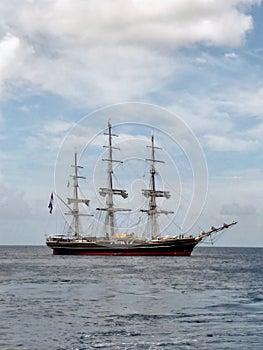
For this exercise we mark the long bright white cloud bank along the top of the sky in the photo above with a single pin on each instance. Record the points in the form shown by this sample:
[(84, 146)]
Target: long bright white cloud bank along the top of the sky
[(168, 24)]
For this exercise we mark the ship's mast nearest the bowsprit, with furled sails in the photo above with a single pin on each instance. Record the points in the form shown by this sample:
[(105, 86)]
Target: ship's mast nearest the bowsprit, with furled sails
[(152, 193)]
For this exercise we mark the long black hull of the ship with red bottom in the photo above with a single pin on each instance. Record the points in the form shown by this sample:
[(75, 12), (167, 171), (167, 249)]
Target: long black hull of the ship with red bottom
[(183, 247)]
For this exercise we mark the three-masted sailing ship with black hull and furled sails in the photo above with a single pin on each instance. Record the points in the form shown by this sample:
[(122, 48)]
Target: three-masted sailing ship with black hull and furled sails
[(127, 244)]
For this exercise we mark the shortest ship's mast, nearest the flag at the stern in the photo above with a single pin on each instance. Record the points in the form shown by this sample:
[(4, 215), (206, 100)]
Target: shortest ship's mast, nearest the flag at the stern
[(76, 200)]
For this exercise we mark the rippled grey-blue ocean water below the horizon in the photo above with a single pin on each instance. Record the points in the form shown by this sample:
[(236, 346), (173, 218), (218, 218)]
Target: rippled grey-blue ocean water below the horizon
[(211, 300)]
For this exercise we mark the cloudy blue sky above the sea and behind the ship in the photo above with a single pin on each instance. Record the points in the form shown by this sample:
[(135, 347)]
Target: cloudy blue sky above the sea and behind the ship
[(189, 71)]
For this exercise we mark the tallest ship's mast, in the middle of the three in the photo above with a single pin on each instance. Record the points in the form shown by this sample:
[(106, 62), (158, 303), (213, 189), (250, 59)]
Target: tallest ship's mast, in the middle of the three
[(110, 191)]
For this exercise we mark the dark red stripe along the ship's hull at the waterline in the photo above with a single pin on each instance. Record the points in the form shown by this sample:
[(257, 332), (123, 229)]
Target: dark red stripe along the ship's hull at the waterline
[(55, 252)]
